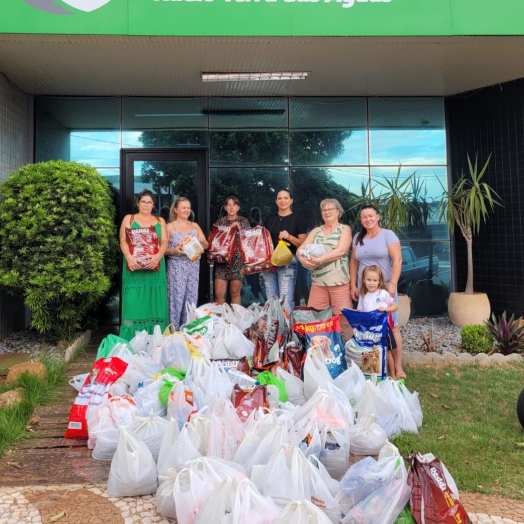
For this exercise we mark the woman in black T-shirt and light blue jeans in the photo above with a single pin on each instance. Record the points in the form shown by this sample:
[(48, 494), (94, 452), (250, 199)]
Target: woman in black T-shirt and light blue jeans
[(290, 227)]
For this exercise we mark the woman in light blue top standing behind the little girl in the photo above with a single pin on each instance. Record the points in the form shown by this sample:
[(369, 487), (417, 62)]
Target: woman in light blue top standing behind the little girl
[(374, 245)]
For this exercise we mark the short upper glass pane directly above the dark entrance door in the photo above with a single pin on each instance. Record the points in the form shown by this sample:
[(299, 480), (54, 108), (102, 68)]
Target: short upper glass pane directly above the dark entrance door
[(149, 122)]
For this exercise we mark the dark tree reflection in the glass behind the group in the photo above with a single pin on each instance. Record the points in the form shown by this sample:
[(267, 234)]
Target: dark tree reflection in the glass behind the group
[(255, 187)]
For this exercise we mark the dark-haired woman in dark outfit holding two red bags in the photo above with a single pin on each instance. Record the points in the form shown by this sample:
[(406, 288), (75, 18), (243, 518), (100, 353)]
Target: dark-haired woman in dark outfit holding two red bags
[(234, 271)]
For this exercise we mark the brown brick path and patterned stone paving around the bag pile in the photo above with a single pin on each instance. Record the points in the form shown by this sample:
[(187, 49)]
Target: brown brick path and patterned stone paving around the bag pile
[(49, 476)]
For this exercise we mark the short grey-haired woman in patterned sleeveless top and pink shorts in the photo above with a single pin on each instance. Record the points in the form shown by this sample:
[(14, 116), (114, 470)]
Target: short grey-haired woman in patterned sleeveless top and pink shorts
[(330, 272)]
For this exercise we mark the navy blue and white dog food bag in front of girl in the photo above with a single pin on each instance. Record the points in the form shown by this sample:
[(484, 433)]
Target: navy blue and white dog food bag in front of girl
[(367, 349)]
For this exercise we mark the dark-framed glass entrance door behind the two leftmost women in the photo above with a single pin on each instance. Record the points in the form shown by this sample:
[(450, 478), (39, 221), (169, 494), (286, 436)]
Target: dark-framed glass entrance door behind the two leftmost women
[(169, 173)]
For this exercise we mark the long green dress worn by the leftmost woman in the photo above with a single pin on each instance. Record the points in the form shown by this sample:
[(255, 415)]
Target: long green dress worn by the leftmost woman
[(144, 298)]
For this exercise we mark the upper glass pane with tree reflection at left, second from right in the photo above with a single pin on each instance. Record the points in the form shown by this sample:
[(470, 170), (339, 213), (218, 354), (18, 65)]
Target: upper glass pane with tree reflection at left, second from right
[(328, 131)]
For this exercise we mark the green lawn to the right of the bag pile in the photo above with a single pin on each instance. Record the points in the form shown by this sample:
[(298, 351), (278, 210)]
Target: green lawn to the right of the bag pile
[(470, 423)]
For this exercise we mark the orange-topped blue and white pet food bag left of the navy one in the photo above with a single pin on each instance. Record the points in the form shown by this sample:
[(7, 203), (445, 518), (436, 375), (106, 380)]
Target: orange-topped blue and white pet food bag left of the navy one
[(325, 339)]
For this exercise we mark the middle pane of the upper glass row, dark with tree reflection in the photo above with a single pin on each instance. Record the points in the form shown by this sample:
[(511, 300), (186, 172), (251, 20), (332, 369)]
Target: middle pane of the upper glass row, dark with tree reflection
[(248, 131)]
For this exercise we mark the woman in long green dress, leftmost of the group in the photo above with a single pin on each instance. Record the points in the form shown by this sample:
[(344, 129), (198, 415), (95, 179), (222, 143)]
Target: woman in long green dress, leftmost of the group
[(144, 288)]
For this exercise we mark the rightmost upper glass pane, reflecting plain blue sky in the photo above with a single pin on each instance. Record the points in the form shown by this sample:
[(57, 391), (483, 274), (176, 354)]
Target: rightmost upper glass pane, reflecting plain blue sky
[(407, 131)]
